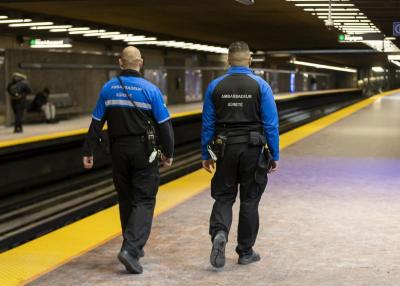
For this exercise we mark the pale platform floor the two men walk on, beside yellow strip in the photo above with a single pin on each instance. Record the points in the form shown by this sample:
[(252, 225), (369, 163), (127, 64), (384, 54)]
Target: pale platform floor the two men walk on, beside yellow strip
[(329, 216)]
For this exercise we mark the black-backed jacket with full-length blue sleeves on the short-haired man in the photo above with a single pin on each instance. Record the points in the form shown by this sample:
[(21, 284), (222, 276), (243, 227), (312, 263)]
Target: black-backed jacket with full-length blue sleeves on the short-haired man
[(240, 100)]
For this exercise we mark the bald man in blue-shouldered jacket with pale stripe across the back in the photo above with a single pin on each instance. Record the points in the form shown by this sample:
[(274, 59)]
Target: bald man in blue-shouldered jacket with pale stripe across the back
[(135, 114)]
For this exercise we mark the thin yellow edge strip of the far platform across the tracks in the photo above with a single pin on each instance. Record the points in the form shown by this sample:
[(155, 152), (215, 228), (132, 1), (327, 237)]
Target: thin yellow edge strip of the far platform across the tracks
[(55, 135)]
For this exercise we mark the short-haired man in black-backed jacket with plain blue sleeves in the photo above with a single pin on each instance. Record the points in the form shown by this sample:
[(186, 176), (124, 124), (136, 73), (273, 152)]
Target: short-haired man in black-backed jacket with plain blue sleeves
[(240, 132)]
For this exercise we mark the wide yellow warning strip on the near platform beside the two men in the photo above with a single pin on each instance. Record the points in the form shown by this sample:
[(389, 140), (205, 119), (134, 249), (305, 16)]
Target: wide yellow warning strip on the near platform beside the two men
[(27, 262)]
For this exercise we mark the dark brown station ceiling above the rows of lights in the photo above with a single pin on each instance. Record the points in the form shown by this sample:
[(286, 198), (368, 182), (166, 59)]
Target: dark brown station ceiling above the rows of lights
[(267, 25)]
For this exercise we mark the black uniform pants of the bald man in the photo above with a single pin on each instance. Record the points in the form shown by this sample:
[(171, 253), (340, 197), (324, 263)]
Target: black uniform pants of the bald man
[(136, 181)]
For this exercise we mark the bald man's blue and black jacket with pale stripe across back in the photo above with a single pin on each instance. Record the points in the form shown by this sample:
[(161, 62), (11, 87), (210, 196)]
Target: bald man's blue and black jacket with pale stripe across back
[(121, 114)]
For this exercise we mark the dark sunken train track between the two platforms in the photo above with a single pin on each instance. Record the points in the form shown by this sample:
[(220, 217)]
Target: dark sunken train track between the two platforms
[(31, 211)]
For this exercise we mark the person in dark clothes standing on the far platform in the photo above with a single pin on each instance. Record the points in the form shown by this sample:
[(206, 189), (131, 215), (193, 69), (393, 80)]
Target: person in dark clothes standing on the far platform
[(18, 89)]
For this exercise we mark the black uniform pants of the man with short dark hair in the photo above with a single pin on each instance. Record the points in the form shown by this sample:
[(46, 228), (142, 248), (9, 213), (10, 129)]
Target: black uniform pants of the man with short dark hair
[(237, 168)]
